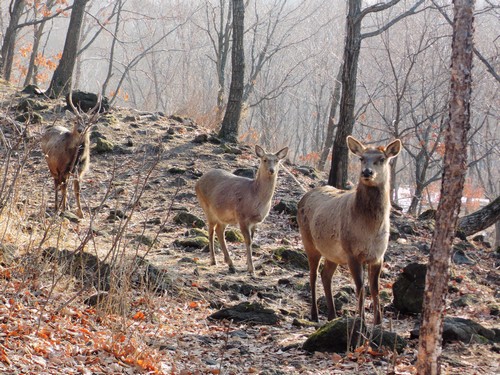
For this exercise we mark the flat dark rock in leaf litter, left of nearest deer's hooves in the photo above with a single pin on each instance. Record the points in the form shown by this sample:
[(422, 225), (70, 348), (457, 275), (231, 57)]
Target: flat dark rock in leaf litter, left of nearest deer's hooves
[(246, 312)]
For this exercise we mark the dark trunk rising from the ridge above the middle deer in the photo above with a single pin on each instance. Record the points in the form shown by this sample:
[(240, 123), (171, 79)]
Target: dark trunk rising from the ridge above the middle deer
[(231, 122)]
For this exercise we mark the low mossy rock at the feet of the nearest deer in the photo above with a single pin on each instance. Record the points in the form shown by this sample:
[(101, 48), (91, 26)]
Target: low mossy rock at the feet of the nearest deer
[(343, 334)]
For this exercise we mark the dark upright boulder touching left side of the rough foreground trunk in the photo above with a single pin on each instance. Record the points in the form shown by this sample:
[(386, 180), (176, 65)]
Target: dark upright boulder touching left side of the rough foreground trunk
[(408, 290)]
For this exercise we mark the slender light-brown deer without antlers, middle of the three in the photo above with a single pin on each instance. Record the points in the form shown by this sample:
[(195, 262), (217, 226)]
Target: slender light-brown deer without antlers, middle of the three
[(229, 199)]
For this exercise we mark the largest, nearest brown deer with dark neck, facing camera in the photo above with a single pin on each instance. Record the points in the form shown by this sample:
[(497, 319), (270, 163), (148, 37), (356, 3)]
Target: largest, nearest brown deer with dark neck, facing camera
[(350, 227)]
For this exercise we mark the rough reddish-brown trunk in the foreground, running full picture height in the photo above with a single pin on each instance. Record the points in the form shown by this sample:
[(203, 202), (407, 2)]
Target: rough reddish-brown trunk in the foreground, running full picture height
[(428, 360)]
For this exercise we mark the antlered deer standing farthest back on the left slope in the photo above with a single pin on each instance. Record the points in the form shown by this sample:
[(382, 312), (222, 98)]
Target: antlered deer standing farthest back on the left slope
[(67, 153)]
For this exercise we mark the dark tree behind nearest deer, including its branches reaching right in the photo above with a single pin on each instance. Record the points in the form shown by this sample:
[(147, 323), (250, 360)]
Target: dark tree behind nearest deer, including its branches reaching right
[(352, 48)]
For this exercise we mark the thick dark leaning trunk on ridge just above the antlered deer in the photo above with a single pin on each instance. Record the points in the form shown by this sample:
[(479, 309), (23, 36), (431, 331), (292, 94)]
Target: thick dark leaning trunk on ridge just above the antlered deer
[(61, 80)]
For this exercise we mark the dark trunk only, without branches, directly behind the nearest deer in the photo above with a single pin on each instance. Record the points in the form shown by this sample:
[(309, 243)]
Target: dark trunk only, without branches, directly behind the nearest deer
[(340, 154)]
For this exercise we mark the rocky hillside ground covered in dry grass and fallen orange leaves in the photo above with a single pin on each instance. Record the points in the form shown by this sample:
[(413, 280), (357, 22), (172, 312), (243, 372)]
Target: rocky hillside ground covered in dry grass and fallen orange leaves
[(131, 196)]
